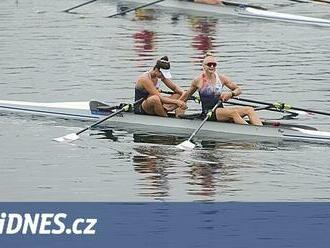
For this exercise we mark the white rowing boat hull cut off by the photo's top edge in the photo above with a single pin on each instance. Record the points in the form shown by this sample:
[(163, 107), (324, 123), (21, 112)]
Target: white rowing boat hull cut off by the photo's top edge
[(242, 10)]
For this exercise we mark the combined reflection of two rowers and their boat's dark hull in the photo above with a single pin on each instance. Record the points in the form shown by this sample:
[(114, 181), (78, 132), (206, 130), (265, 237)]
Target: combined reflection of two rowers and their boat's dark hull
[(201, 174)]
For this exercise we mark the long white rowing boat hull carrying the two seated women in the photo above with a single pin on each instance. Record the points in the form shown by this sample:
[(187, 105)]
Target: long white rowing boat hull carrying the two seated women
[(153, 124)]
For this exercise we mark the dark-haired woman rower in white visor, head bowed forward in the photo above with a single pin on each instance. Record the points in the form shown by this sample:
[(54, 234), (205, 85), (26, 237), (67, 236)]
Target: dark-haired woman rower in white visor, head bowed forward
[(148, 87)]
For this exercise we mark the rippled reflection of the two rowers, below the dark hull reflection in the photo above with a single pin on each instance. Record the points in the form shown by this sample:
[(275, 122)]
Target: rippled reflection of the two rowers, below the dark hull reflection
[(165, 171)]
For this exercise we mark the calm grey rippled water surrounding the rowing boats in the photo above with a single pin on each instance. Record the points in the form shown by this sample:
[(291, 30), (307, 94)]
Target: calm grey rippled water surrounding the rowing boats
[(48, 55)]
